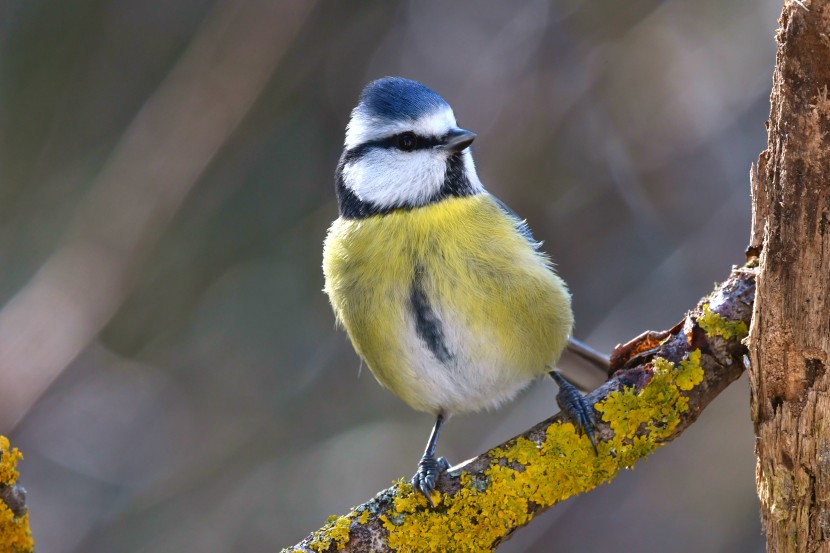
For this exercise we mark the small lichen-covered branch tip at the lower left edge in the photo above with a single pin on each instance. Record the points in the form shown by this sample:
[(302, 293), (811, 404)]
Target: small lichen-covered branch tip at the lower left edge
[(15, 536)]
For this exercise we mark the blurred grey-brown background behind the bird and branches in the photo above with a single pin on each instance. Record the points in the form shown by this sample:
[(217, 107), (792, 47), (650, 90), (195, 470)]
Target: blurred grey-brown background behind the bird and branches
[(168, 363)]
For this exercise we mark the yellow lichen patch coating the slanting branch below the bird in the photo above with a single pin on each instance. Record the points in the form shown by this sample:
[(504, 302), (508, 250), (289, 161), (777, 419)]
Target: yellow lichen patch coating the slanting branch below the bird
[(527, 474)]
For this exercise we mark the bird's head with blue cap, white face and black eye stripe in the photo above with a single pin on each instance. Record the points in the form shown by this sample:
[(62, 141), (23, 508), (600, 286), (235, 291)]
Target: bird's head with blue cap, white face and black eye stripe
[(403, 149)]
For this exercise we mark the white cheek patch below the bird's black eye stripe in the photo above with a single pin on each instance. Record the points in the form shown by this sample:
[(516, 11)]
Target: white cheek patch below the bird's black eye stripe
[(390, 178)]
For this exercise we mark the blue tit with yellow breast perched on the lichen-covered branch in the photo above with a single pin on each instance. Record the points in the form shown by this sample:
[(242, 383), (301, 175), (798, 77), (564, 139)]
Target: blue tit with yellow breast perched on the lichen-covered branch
[(442, 289)]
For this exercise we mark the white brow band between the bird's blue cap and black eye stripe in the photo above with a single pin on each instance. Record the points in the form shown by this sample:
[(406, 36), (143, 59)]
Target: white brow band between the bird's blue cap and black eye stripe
[(364, 128)]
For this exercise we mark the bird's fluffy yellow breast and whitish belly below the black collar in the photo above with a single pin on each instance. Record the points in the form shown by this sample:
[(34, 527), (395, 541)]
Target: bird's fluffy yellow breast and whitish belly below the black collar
[(505, 314)]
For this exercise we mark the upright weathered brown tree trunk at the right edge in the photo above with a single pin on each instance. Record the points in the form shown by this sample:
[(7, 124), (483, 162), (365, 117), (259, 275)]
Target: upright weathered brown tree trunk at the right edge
[(789, 341)]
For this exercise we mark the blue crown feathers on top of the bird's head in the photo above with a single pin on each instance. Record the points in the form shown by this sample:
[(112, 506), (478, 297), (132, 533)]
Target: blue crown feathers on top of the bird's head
[(397, 98)]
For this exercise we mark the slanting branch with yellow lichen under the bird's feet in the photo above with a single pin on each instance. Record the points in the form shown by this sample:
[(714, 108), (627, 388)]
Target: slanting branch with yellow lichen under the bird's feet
[(659, 384)]
